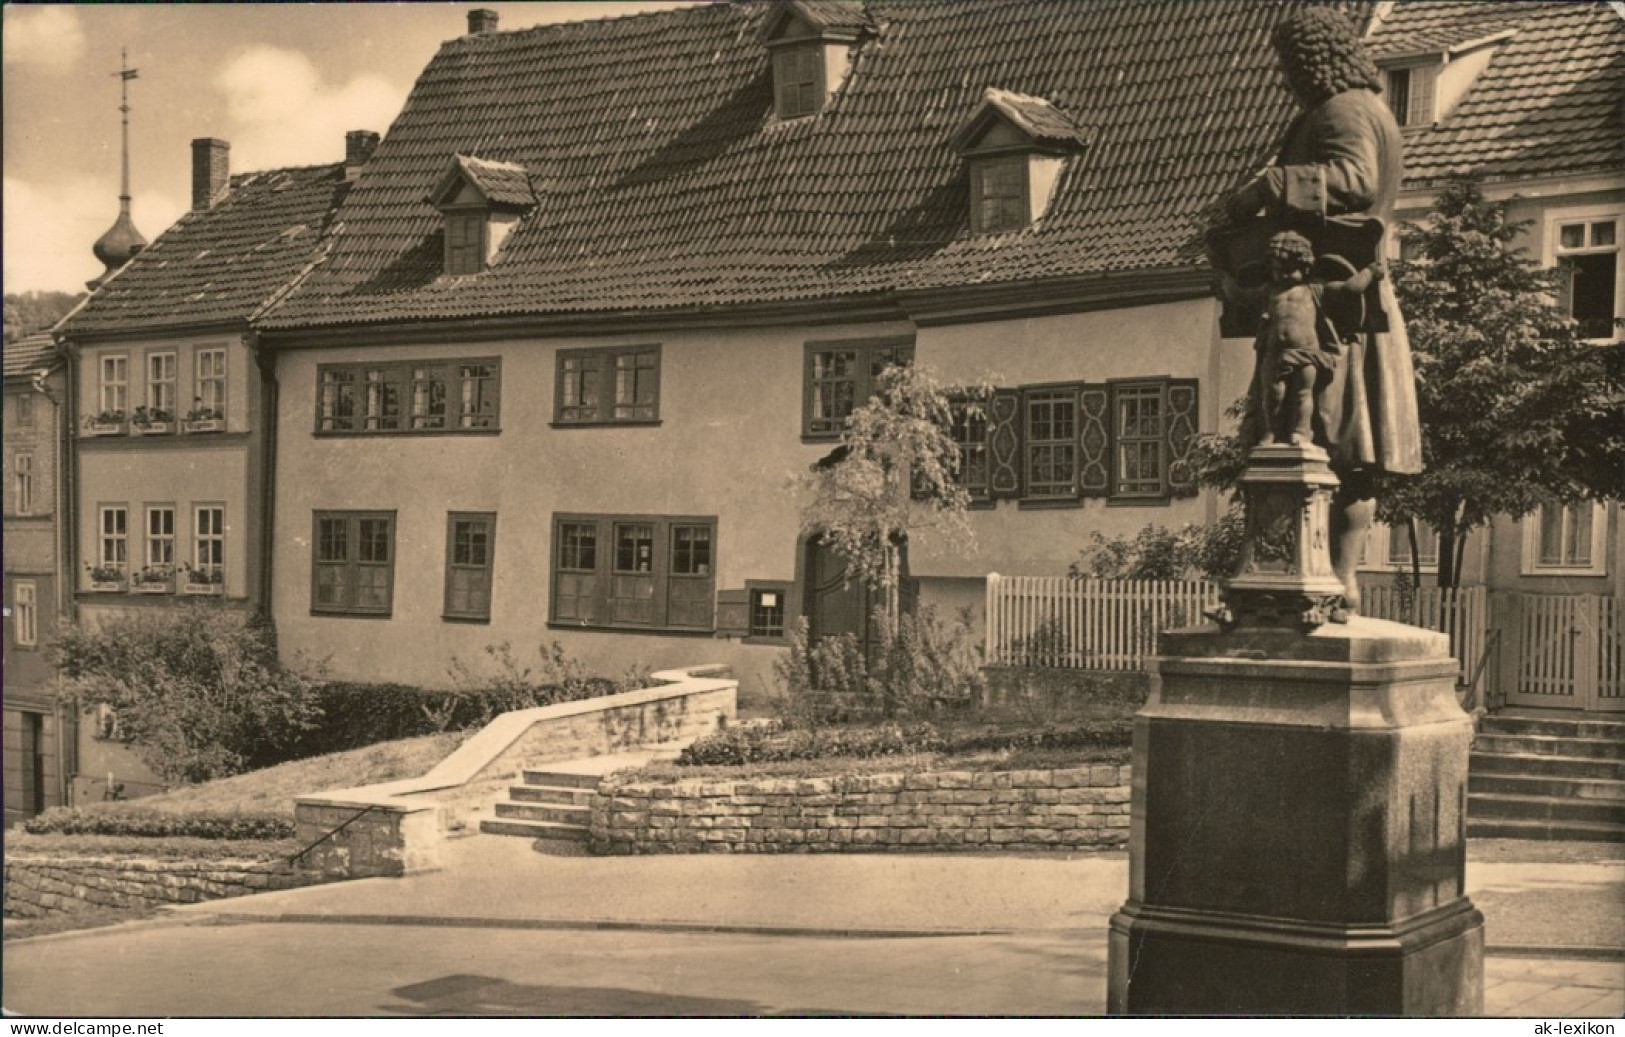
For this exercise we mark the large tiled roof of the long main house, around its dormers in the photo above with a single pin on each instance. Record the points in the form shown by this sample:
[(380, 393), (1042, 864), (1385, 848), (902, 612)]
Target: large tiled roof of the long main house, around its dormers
[(665, 181)]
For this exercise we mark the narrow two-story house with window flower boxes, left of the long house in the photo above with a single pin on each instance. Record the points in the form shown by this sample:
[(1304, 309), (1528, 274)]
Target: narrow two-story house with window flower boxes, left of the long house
[(173, 406)]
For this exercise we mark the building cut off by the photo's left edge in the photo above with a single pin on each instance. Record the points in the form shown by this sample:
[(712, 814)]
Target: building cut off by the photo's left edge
[(38, 726)]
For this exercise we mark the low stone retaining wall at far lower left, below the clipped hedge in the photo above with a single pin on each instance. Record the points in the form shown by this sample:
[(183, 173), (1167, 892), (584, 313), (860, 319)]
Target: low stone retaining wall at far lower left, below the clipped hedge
[(43, 885)]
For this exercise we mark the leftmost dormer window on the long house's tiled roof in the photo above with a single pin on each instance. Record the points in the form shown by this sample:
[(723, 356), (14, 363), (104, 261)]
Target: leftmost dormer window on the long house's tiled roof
[(480, 202)]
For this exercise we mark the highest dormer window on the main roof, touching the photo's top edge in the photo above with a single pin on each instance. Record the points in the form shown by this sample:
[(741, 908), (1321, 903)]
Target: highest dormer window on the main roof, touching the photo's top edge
[(812, 48)]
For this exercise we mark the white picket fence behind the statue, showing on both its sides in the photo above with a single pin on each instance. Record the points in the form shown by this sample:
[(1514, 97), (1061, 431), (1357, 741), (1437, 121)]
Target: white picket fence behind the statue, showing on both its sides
[(1112, 625)]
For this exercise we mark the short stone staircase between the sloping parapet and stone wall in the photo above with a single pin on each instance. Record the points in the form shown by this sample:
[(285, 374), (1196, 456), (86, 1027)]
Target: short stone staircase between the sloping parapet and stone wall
[(552, 805)]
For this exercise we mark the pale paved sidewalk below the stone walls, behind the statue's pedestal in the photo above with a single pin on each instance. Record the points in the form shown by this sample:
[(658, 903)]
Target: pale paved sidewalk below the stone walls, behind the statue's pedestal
[(1556, 932)]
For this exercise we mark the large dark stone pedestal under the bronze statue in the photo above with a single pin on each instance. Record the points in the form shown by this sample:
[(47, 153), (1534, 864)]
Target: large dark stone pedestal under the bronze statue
[(1299, 833)]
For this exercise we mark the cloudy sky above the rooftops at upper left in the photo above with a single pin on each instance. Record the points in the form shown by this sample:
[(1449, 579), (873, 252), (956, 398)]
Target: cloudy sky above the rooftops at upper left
[(282, 82)]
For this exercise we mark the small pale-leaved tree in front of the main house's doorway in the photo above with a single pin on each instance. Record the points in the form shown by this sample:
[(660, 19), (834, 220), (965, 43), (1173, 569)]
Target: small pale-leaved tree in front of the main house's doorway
[(895, 477)]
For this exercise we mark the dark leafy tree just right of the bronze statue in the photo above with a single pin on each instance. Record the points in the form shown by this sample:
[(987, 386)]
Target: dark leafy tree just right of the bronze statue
[(1517, 409)]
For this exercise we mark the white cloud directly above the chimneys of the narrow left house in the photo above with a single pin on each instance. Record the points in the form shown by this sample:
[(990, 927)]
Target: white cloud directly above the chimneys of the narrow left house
[(284, 115)]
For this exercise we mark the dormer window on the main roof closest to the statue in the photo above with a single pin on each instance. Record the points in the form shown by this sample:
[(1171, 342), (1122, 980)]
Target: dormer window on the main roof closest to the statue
[(1016, 149)]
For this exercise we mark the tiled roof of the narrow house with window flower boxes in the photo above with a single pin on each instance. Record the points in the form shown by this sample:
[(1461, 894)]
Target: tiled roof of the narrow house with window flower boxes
[(225, 263)]
